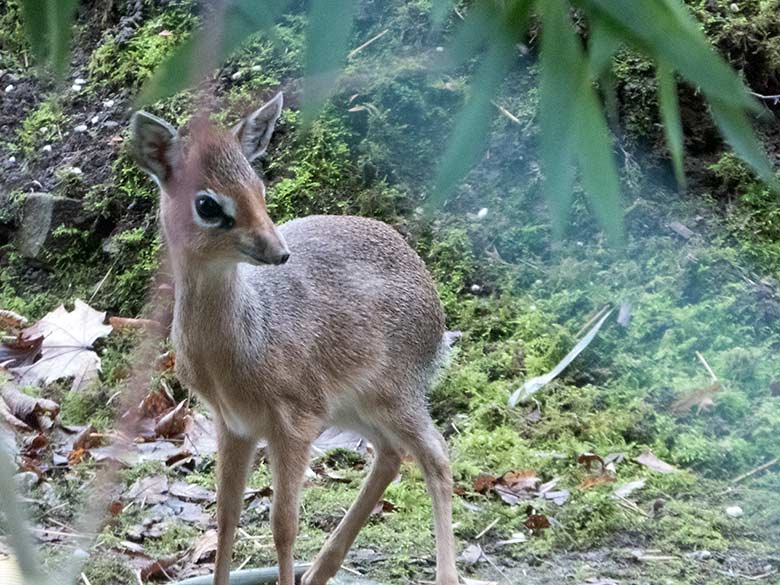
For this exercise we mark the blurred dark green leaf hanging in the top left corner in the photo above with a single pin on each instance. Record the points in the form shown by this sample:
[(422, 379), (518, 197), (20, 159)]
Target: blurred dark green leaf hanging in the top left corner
[(48, 26)]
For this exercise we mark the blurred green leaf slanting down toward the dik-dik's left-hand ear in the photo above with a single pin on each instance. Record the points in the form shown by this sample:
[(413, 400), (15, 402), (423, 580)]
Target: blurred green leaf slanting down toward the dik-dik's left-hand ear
[(186, 66)]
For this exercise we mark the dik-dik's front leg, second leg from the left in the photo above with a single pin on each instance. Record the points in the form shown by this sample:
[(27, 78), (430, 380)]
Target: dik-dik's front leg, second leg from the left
[(289, 458)]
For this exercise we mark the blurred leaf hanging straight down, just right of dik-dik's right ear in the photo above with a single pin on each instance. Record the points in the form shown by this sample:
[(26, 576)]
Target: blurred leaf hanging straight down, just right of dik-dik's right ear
[(327, 38)]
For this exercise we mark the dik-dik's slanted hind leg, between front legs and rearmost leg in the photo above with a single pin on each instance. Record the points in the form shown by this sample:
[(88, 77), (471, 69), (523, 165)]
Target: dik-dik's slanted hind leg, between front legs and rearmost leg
[(328, 561)]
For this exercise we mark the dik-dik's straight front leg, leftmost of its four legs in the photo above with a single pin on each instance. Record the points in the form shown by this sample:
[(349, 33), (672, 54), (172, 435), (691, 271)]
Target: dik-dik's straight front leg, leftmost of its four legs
[(233, 460)]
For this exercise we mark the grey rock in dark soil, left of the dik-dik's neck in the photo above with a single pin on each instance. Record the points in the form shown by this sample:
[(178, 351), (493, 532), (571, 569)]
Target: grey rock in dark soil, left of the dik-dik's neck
[(40, 214)]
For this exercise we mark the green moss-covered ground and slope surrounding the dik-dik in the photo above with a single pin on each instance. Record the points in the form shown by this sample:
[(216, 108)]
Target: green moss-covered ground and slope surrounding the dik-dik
[(520, 298)]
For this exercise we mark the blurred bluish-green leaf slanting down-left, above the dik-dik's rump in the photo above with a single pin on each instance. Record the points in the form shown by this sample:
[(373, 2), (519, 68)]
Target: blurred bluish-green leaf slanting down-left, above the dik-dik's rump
[(468, 139)]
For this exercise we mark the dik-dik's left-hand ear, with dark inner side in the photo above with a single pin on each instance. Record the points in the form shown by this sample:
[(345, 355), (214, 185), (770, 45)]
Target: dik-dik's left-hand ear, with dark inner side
[(154, 145)]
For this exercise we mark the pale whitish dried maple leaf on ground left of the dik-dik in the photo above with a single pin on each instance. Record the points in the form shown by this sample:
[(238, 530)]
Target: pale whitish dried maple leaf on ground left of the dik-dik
[(67, 346)]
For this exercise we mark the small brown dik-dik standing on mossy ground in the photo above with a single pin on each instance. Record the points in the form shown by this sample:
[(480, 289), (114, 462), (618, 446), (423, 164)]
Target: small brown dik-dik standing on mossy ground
[(284, 330)]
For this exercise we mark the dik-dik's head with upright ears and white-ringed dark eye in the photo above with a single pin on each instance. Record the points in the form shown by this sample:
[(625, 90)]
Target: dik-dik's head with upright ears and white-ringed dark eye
[(213, 203)]
